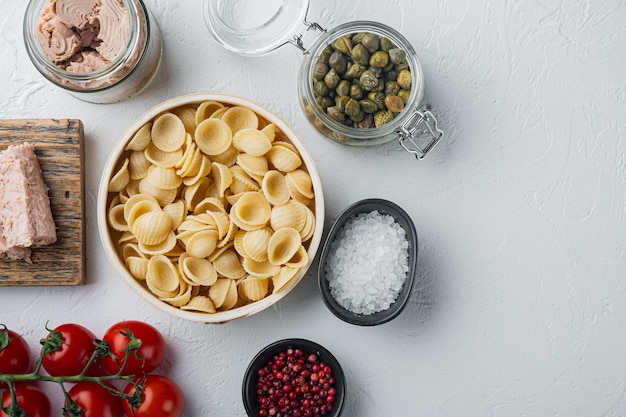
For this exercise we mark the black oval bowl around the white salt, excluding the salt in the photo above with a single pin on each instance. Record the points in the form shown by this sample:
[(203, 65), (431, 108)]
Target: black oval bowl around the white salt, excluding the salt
[(404, 220)]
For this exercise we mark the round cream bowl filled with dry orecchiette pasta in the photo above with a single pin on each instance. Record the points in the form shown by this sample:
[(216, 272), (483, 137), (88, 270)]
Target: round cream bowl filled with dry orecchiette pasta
[(210, 207)]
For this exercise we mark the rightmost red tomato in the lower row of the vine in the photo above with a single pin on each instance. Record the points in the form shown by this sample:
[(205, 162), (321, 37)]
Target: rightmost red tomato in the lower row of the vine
[(161, 398)]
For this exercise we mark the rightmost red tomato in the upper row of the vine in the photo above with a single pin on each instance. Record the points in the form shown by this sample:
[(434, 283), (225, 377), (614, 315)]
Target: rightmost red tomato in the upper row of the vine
[(144, 360)]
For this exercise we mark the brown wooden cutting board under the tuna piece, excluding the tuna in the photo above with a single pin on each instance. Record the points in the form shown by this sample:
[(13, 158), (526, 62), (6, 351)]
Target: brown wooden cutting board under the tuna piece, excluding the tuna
[(59, 149)]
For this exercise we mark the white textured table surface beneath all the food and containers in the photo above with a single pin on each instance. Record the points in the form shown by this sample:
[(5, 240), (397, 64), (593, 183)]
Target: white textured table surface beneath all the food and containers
[(519, 308)]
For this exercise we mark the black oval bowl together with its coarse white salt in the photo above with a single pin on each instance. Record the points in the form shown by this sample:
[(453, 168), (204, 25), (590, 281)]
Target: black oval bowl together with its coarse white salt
[(368, 262)]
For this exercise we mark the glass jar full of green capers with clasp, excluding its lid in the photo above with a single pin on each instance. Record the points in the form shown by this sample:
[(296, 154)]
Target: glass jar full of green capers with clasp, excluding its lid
[(362, 85)]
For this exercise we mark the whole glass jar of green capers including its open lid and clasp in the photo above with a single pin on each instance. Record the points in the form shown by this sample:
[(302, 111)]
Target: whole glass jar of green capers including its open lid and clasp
[(360, 84)]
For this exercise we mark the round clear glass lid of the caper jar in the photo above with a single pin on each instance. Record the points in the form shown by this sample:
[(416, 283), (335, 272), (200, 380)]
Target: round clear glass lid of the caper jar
[(252, 27)]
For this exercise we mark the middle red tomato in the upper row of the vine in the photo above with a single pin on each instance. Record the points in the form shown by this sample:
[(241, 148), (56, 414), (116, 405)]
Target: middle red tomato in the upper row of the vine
[(74, 353)]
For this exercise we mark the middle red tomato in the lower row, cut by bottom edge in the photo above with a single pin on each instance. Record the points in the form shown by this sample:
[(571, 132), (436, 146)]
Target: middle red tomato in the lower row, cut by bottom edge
[(95, 400)]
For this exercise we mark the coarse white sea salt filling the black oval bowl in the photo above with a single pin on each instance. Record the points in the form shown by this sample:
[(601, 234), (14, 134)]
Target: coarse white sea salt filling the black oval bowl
[(368, 263)]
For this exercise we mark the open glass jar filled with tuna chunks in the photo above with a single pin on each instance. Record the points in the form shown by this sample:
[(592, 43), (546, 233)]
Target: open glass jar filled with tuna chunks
[(100, 51)]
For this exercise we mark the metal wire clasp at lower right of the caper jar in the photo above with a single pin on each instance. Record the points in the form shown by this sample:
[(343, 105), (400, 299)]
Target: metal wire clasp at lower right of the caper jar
[(407, 133)]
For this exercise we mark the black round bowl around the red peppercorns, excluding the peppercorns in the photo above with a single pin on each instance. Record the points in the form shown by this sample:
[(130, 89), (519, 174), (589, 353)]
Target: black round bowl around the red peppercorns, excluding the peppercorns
[(251, 377)]
